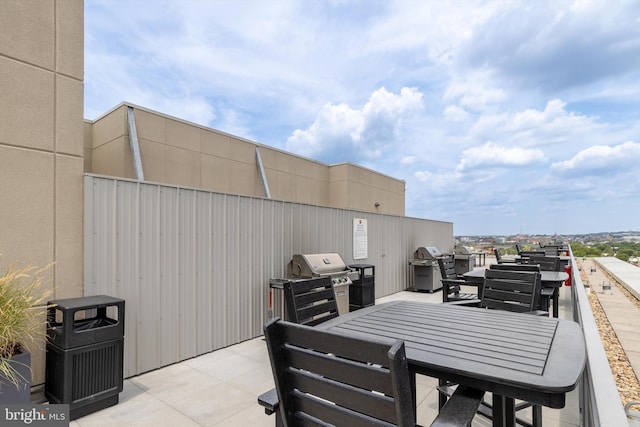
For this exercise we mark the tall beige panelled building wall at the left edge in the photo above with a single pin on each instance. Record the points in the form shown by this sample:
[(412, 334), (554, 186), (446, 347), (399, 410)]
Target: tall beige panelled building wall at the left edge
[(41, 142)]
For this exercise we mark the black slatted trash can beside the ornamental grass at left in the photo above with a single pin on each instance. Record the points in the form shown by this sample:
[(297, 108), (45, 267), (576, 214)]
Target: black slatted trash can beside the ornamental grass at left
[(85, 352)]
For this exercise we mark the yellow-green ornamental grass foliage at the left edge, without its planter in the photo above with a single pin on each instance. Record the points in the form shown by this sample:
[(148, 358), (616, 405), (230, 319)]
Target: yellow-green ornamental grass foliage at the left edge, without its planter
[(21, 295)]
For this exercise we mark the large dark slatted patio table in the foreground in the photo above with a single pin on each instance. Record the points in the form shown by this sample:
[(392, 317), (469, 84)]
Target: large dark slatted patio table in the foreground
[(513, 355)]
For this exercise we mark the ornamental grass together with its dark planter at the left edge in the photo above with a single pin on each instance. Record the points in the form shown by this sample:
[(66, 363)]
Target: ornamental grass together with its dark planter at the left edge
[(21, 328)]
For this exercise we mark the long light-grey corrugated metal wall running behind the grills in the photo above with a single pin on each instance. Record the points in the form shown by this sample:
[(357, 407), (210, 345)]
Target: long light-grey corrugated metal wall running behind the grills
[(194, 266)]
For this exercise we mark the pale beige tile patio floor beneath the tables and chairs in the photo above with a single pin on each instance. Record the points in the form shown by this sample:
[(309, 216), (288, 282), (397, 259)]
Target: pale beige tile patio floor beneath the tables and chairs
[(221, 389)]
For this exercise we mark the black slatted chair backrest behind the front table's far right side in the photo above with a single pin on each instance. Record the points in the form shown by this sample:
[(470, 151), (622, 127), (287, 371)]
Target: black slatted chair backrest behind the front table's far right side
[(510, 290)]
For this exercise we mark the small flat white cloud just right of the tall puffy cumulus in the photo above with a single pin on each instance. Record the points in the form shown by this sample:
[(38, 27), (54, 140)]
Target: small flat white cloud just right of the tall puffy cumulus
[(491, 155)]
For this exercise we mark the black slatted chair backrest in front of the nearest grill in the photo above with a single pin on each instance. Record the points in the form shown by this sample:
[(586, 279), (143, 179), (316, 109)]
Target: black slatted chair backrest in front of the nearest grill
[(311, 301)]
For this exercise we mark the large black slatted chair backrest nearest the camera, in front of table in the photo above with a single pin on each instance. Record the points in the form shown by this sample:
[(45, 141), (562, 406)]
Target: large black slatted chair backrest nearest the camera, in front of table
[(323, 378)]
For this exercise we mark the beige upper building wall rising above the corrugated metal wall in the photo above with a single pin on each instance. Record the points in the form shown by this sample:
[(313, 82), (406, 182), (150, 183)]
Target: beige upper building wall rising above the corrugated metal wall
[(177, 152)]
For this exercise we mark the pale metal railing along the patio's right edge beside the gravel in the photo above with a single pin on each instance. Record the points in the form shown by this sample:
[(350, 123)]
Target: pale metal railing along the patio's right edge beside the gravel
[(599, 401)]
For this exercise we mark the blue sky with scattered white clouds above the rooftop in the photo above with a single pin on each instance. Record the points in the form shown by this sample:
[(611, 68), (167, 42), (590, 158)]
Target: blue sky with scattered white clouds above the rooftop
[(502, 117)]
